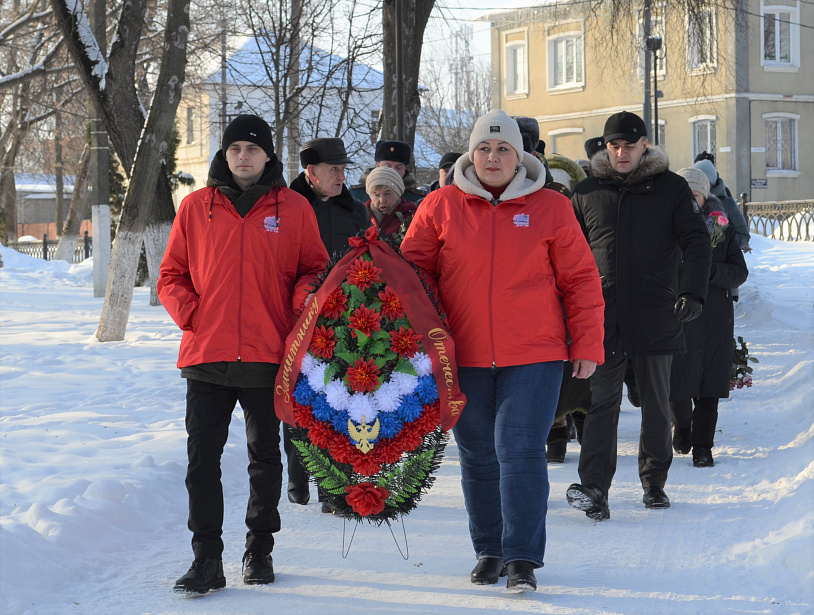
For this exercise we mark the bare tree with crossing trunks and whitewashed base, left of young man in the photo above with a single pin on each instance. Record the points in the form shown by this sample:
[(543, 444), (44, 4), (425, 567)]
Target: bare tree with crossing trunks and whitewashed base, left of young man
[(140, 143)]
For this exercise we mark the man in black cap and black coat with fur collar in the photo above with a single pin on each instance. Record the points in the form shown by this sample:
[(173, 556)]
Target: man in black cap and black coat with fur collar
[(640, 219)]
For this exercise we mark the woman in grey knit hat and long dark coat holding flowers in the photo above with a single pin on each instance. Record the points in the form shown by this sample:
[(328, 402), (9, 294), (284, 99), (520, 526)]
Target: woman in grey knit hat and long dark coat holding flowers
[(700, 377)]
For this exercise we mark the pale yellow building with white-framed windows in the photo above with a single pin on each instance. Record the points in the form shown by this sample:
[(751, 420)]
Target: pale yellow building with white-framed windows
[(736, 82)]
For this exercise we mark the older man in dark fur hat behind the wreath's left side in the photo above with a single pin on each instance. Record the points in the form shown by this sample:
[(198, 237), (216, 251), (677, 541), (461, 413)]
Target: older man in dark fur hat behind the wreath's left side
[(339, 216)]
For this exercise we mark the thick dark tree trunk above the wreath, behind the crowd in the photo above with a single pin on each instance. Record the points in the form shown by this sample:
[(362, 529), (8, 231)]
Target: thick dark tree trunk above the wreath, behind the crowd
[(416, 15)]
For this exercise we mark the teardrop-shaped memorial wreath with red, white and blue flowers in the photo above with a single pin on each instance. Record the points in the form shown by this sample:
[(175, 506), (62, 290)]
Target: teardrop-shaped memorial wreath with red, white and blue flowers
[(369, 379)]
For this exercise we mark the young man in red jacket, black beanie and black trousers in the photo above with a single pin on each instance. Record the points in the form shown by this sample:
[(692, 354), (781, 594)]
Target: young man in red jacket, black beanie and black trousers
[(240, 258)]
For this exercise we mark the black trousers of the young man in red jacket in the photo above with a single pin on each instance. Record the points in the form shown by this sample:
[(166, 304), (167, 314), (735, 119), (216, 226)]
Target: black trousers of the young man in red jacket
[(209, 412)]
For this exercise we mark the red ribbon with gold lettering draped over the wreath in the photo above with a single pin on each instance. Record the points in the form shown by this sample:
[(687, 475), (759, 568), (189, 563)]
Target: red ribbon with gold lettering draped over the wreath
[(402, 278)]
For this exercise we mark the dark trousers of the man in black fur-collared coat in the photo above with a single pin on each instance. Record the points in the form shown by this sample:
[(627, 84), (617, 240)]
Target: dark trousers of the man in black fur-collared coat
[(597, 460)]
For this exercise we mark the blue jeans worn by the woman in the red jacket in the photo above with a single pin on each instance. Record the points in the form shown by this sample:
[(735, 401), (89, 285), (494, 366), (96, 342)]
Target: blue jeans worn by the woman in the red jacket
[(501, 438)]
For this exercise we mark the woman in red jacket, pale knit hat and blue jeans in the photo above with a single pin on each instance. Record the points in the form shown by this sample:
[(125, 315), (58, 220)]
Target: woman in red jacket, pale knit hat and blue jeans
[(522, 294)]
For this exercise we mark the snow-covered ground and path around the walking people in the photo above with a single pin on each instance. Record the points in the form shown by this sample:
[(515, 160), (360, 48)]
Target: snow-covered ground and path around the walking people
[(93, 506)]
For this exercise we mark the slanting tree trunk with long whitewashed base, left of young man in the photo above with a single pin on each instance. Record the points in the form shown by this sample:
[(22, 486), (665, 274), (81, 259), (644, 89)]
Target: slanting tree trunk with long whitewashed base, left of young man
[(147, 171)]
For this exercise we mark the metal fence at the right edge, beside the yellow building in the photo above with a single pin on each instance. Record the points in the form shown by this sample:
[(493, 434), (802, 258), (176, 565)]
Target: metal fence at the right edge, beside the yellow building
[(789, 220)]
